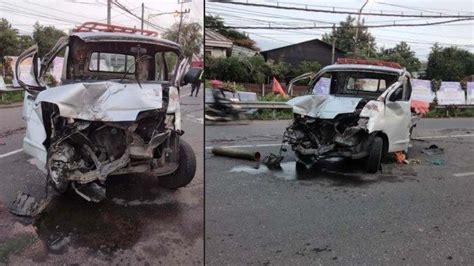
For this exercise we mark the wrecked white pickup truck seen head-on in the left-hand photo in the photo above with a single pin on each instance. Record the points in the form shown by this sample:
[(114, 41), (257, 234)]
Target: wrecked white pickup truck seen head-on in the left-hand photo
[(115, 111)]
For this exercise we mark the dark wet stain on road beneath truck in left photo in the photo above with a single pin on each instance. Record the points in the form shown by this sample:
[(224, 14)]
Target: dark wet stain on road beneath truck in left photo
[(116, 223)]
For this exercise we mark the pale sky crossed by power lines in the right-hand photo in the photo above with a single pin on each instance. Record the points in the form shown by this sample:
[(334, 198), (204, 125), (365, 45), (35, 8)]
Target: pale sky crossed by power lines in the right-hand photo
[(420, 39)]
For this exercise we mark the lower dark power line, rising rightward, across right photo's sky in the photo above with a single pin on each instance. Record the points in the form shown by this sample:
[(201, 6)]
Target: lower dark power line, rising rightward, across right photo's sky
[(361, 26)]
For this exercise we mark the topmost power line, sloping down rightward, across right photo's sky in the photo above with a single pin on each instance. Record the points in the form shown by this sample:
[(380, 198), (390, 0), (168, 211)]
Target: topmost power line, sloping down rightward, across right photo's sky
[(334, 11)]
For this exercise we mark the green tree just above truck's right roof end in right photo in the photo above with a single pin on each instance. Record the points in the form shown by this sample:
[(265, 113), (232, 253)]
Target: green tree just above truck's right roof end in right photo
[(401, 54)]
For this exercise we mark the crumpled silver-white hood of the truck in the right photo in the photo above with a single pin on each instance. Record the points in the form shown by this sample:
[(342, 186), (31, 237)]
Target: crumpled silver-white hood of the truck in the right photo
[(323, 106)]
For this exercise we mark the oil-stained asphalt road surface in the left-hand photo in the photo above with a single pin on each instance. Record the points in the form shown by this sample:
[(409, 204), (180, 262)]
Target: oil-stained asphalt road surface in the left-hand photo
[(138, 223)]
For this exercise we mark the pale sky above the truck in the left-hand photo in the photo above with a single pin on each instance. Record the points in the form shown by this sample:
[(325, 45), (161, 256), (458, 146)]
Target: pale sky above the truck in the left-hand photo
[(65, 14)]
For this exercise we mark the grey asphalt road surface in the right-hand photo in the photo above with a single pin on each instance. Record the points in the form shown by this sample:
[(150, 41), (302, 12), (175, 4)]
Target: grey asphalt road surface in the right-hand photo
[(413, 214)]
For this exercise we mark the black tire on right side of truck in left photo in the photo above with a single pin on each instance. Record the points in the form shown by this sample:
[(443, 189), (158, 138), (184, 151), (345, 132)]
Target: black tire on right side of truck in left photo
[(186, 169)]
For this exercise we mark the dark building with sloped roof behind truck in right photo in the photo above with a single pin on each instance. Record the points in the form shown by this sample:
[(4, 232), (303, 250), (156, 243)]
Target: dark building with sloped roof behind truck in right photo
[(310, 51)]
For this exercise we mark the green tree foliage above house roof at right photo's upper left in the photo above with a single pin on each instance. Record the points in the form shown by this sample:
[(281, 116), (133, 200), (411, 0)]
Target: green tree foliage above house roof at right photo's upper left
[(216, 23)]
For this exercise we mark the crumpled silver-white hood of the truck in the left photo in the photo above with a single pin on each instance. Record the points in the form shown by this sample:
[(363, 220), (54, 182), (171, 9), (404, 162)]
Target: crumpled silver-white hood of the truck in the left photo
[(103, 101)]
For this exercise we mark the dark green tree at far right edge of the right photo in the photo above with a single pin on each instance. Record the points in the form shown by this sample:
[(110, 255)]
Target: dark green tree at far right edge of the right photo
[(449, 63)]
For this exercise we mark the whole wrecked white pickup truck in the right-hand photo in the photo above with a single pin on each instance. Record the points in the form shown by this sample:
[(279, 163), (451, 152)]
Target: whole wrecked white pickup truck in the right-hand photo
[(365, 115)]
